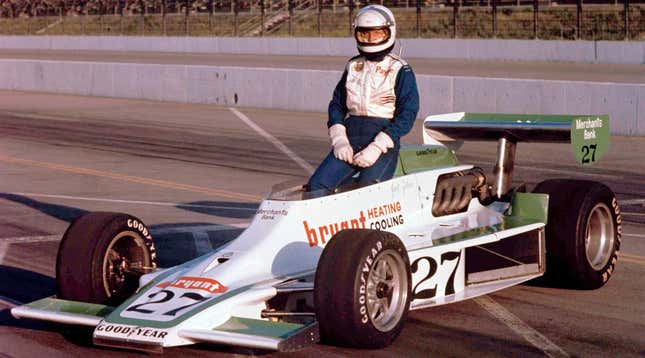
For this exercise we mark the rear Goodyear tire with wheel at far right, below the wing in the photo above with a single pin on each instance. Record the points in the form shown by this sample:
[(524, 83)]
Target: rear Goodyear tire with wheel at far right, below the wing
[(579, 209)]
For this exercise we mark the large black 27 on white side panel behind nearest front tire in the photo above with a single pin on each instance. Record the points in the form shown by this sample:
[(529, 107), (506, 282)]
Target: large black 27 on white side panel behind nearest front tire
[(437, 275)]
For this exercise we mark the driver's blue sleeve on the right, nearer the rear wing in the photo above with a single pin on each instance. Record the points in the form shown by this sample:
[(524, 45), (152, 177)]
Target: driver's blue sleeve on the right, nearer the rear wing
[(407, 104)]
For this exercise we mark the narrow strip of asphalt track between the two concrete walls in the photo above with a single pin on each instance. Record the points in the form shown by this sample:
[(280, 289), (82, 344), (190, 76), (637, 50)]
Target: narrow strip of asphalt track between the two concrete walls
[(613, 73)]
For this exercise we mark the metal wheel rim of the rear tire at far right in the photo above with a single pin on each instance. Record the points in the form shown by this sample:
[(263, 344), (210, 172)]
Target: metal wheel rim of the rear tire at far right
[(599, 240)]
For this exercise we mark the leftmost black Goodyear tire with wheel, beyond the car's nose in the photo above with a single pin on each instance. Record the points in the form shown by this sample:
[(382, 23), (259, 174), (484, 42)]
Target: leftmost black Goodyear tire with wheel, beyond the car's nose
[(101, 257)]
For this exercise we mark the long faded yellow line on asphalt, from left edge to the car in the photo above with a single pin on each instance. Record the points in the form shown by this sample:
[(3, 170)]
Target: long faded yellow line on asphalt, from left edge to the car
[(132, 179)]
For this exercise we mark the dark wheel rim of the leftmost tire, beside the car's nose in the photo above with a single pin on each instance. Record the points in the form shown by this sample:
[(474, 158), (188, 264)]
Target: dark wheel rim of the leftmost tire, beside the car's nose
[(125, 257)]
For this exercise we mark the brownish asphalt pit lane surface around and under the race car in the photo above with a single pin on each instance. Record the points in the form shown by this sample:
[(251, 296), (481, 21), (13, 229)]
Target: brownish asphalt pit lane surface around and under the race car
[(195, 173)]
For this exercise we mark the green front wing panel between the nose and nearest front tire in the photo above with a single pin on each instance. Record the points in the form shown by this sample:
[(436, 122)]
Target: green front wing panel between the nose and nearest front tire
[(258, 327)]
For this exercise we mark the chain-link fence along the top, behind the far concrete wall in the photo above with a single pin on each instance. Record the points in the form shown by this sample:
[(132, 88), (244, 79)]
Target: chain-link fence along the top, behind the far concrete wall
[(540, 19)]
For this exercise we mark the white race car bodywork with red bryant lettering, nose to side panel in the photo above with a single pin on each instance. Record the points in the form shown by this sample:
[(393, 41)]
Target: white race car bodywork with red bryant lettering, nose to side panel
[(285, 240)]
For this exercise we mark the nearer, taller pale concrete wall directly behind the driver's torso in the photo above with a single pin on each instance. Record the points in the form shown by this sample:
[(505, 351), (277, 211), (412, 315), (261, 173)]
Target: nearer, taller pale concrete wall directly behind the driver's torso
[(308, 90)]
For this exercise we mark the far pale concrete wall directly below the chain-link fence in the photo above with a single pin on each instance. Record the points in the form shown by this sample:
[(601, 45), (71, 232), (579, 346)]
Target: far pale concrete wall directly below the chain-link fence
[(622, 52)]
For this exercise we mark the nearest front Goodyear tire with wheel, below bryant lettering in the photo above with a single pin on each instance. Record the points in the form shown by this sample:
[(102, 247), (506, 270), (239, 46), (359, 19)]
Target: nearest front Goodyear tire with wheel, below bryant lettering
[(345, 315)]
